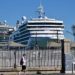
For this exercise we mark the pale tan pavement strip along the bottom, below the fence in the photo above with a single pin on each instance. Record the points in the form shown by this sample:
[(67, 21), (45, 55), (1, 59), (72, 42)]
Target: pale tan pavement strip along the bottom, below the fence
[(29, 73)]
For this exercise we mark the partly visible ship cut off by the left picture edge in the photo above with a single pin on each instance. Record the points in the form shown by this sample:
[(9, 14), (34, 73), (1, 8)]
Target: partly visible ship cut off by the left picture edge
[(5, 31)]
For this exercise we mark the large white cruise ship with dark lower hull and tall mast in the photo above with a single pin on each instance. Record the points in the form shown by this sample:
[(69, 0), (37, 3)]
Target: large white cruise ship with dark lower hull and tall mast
[(40, 30)]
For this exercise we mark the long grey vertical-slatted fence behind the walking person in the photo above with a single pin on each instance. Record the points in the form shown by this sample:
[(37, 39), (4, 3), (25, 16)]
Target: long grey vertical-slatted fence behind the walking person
[(50, 58)]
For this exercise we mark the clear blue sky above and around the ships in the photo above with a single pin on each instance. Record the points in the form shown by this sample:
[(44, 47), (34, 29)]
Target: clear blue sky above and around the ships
[(13, 10)]
